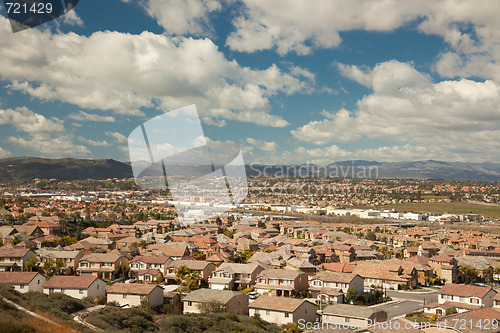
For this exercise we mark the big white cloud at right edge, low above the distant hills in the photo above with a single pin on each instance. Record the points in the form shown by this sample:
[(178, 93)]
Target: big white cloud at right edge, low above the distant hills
[(450, 120)]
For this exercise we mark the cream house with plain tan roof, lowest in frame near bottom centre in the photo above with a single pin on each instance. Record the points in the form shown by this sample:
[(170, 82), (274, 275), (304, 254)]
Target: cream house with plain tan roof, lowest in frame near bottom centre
[(281, 311)]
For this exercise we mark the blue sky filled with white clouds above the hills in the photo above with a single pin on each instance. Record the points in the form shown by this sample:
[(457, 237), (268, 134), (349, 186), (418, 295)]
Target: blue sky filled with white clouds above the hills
[(289, 81)]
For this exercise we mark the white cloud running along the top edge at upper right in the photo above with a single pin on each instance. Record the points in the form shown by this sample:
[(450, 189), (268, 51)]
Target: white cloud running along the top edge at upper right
[(301, 26)]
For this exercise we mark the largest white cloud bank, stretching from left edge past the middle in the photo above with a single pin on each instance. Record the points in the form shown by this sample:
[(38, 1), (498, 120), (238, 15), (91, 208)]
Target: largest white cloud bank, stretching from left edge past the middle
[(125, 73)]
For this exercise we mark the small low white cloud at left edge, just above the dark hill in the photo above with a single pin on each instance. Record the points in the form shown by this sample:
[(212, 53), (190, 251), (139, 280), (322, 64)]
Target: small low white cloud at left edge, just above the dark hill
[(46, 136)]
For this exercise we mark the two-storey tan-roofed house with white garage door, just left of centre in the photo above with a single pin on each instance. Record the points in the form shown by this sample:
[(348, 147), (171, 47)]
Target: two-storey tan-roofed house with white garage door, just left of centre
[(231, 275)]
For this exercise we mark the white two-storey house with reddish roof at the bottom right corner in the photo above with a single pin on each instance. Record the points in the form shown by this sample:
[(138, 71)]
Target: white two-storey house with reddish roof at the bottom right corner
[(461, 298)]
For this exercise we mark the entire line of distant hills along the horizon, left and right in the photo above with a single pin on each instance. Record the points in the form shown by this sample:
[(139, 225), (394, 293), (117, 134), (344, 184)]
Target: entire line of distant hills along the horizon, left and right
[(26, 168)]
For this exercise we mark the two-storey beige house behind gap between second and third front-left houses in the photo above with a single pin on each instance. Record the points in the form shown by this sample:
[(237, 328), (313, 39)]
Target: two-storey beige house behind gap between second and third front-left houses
[(102, 265)]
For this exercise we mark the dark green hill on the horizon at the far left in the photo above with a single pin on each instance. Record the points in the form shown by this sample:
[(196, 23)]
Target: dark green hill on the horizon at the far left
[(14, 169)]
